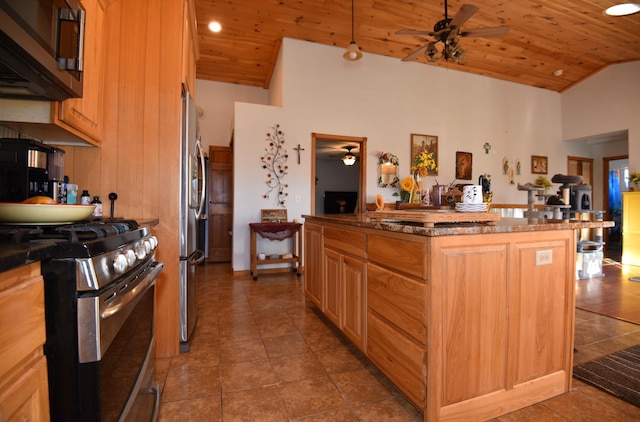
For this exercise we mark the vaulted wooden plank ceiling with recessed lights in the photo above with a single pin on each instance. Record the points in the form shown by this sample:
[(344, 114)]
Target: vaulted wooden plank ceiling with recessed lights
[(573, 36)]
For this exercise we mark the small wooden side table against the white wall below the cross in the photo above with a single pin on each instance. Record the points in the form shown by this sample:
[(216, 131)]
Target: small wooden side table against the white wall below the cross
[(276, 231)]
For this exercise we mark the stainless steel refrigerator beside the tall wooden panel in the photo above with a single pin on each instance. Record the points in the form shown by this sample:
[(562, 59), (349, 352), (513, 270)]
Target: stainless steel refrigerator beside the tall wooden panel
[(192, 203)]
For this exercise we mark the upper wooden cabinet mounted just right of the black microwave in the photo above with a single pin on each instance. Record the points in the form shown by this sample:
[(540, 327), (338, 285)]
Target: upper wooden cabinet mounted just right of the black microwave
[(83, 116)]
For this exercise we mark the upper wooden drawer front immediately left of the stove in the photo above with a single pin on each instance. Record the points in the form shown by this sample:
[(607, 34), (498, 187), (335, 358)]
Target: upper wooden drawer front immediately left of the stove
[(21, 316)]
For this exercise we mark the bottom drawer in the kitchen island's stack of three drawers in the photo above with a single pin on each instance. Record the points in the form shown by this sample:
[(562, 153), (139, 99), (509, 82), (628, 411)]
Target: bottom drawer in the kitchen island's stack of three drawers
[(400, 359)]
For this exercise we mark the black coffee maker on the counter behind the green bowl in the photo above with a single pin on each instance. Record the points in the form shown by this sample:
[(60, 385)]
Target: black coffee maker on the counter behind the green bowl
[(29, 168)]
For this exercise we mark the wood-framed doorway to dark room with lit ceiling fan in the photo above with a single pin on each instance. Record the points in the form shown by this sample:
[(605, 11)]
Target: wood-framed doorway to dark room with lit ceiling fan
[(329, 173)]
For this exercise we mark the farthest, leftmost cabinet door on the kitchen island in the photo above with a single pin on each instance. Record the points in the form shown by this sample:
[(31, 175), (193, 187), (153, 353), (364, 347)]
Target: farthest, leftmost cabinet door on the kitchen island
[(313, 279)]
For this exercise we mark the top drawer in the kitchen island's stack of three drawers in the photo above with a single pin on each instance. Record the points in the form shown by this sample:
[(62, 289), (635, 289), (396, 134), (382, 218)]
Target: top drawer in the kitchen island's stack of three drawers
[(402, 255)]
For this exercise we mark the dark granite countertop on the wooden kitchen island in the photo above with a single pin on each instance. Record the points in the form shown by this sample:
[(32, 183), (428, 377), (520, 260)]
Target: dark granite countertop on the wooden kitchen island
[(503, 225)]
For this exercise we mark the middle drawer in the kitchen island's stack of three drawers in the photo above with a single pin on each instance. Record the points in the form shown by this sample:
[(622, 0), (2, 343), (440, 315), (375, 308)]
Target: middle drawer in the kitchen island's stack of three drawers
[(398, 299)]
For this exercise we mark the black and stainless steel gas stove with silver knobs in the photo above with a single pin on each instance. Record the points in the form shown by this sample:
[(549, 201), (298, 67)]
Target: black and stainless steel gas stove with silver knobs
[(99, 282)]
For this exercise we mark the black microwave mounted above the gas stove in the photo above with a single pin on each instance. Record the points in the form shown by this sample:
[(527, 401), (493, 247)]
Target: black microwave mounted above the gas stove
[(41, 49)]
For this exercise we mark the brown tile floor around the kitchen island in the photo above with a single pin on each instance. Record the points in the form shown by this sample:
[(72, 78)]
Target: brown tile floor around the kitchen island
[(261, 353)]
